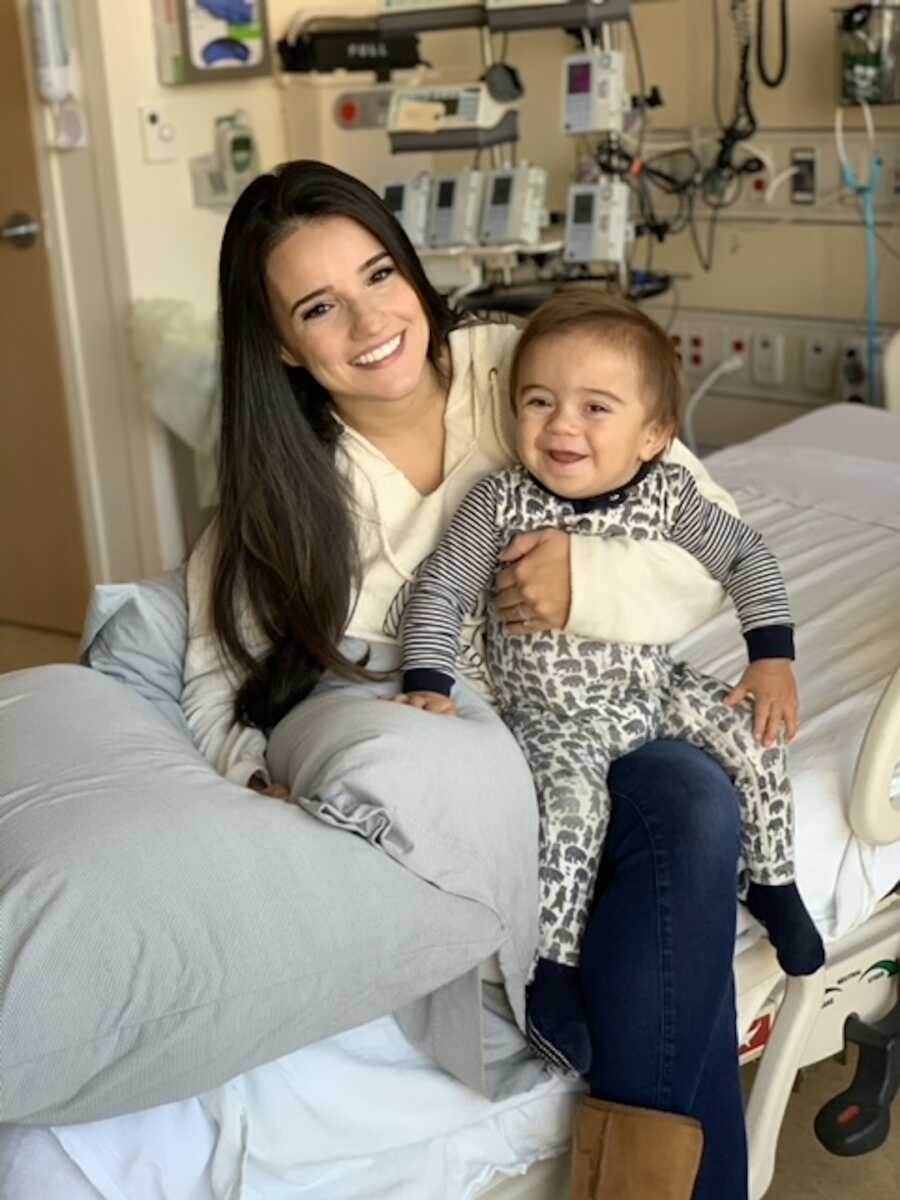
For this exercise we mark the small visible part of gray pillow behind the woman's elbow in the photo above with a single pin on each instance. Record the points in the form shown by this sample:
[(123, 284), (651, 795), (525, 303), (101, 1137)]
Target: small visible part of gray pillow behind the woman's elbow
[(137, 634)]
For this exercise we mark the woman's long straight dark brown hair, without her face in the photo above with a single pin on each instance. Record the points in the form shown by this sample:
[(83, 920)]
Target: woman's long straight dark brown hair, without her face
[(285, 537)]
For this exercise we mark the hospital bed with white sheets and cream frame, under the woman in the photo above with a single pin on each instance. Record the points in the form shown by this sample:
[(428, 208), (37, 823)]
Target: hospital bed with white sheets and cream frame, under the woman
[(365, 1115)]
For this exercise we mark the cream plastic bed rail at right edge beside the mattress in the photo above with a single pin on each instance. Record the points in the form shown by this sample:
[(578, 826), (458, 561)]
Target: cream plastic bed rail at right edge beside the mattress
[(872, 817)]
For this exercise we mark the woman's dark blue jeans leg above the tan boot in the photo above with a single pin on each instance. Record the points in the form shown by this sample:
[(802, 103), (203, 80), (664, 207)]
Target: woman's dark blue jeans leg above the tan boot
[(657, 959)]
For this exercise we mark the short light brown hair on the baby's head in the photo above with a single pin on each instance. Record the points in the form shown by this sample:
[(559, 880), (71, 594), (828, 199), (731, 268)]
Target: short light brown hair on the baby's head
[(620, 325)]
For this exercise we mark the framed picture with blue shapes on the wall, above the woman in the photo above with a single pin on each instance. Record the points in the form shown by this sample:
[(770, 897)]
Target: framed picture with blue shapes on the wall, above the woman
[(206, 41)]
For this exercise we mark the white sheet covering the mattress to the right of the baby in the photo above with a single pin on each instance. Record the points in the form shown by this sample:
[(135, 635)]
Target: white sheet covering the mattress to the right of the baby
[(833, 520)]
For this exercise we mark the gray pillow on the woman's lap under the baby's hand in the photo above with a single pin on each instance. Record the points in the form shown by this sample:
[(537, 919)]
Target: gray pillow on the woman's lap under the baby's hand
[(449, 799)]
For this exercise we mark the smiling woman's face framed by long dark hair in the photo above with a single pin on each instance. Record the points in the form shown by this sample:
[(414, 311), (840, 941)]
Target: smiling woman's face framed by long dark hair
[(346, 314)]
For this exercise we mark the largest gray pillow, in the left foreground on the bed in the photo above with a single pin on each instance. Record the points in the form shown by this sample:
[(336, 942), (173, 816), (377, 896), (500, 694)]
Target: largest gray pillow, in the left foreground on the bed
[(164, 931)]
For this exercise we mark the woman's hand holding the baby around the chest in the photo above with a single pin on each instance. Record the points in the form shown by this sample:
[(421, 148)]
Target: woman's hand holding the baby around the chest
[(535, 592)]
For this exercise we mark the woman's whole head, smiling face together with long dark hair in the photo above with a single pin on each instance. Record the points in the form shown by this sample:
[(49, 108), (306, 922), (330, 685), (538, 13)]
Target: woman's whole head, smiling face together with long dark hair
[(315, 277)]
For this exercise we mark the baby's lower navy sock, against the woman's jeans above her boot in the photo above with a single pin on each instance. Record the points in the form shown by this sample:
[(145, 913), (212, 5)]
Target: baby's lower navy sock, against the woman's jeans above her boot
[(557, 1024)]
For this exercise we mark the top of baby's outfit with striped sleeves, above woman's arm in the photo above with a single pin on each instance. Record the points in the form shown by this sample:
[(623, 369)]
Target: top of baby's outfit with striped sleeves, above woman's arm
[(662, 503)]
